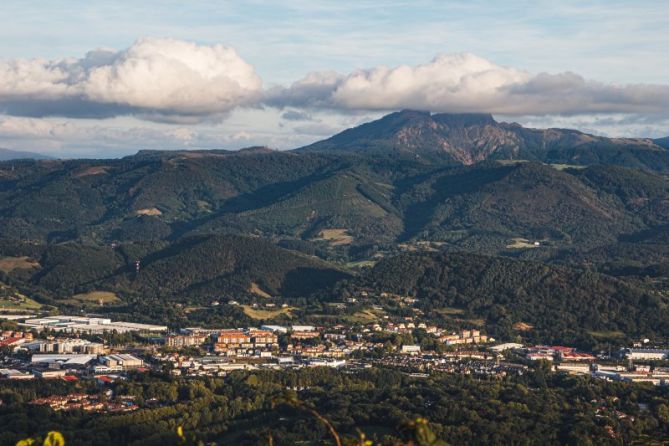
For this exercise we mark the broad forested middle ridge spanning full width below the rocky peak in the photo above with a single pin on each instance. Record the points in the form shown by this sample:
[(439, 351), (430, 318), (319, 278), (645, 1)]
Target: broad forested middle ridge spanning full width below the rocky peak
[(347, 204)]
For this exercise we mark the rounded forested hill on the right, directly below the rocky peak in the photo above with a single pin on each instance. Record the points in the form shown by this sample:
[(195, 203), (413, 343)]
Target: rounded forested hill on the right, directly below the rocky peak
[(486, 206)]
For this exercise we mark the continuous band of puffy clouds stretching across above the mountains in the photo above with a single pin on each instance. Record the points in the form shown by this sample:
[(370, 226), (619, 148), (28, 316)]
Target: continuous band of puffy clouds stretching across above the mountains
[(177, 81)]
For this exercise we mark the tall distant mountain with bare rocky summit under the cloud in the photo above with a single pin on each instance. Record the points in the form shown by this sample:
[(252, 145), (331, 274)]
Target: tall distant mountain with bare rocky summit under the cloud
[(471, 138)]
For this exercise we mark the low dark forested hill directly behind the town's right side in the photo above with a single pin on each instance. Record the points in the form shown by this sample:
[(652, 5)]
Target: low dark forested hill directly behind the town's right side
[(518, 298)]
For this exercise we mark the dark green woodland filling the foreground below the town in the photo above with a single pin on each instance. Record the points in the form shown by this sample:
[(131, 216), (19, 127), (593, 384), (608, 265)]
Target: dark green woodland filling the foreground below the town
[(245, 407)]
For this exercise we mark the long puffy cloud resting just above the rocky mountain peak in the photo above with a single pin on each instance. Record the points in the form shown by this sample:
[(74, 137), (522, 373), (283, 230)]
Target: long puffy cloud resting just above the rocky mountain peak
[(467, 83)]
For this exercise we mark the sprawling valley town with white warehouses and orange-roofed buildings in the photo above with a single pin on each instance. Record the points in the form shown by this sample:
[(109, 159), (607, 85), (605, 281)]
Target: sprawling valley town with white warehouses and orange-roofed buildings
[(73, 348)]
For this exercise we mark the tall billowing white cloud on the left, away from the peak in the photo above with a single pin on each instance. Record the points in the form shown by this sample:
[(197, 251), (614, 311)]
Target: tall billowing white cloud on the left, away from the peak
[(157, 79)]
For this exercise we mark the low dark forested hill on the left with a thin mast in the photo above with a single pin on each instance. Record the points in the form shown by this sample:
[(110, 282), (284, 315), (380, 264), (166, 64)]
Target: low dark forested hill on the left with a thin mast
[(196, 269)]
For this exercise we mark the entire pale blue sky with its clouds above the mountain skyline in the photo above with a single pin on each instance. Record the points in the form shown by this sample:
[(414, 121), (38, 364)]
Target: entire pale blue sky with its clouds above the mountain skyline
[(105, 79)]
